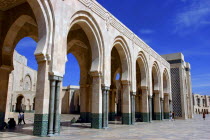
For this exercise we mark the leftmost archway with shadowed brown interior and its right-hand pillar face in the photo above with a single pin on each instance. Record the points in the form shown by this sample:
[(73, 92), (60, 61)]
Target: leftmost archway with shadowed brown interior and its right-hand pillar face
[(30, 22)]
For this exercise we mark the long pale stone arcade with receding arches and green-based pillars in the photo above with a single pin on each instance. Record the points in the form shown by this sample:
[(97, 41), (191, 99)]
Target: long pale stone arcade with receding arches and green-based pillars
[(62, 27)]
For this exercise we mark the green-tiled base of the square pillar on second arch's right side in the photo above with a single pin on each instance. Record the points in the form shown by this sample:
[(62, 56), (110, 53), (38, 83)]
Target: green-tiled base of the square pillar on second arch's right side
[(96, 121)]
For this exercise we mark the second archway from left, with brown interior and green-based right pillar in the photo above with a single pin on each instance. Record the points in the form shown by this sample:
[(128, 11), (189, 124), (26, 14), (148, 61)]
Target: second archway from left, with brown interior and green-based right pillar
[(84, 41)]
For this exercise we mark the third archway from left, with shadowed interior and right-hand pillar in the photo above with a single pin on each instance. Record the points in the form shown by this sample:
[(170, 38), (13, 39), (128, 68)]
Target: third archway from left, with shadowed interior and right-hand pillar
[(120, 89)]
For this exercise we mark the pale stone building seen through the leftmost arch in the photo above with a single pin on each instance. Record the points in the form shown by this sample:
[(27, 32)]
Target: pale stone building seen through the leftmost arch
[(22, 86)]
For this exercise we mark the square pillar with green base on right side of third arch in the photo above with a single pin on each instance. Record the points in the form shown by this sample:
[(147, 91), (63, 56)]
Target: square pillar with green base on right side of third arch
[(126, 103)]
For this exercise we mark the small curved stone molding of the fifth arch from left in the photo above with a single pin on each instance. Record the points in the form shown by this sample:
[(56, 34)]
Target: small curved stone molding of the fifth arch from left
[(156, 74)]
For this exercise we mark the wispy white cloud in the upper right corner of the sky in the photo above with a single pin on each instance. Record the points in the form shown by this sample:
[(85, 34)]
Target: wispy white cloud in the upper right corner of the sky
[(193, 16)]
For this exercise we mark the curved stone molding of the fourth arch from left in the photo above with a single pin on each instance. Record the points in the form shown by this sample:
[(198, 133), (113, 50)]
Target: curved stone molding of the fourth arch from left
[(143, 65)]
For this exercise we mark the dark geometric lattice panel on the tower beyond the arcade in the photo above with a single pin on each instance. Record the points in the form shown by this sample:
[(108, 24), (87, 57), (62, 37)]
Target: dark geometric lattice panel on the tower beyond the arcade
[(176, 92)]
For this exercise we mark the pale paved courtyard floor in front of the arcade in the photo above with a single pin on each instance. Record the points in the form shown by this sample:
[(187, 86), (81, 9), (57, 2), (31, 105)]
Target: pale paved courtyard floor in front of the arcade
[(192, 129)]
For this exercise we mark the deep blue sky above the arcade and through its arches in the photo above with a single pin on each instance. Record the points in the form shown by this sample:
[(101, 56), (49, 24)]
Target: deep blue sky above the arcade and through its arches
[(168, 26)]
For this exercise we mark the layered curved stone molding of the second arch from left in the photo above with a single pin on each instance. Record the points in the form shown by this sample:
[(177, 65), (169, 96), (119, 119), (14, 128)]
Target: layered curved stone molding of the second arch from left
[(93, 32)]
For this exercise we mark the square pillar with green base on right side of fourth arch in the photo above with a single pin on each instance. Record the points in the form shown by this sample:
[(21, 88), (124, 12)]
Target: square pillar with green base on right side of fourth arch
[(145, 106)]
